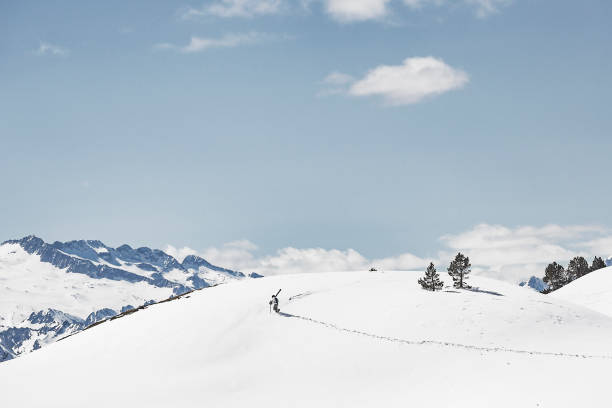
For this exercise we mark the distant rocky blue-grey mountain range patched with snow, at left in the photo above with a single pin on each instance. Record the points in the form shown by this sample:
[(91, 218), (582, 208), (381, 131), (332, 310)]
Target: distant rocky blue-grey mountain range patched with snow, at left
[(48, 291)]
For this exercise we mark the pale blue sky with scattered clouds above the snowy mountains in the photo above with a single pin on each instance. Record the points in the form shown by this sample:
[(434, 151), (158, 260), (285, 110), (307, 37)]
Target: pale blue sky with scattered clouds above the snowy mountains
[(306, 135)]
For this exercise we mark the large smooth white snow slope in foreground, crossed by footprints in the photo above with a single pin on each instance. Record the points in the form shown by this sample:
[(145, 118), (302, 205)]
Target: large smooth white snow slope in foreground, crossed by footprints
[(344, 340)]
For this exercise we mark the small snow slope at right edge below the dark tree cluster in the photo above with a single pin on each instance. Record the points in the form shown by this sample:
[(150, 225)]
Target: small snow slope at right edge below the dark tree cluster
[(593, 290)]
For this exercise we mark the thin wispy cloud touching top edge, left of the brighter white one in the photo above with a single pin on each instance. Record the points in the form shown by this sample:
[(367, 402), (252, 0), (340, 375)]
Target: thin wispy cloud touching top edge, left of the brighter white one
[(235, 8)]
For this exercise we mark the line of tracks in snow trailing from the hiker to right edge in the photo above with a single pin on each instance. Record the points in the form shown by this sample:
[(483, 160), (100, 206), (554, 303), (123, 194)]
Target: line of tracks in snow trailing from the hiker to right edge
[(448, 344)]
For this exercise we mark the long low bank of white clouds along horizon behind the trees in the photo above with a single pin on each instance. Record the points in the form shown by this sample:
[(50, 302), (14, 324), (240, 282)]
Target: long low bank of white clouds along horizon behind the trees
[(510, 254)]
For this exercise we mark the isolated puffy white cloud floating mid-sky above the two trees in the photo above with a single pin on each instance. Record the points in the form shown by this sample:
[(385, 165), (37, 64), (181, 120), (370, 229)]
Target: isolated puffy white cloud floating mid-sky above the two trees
[(415, 79)]
